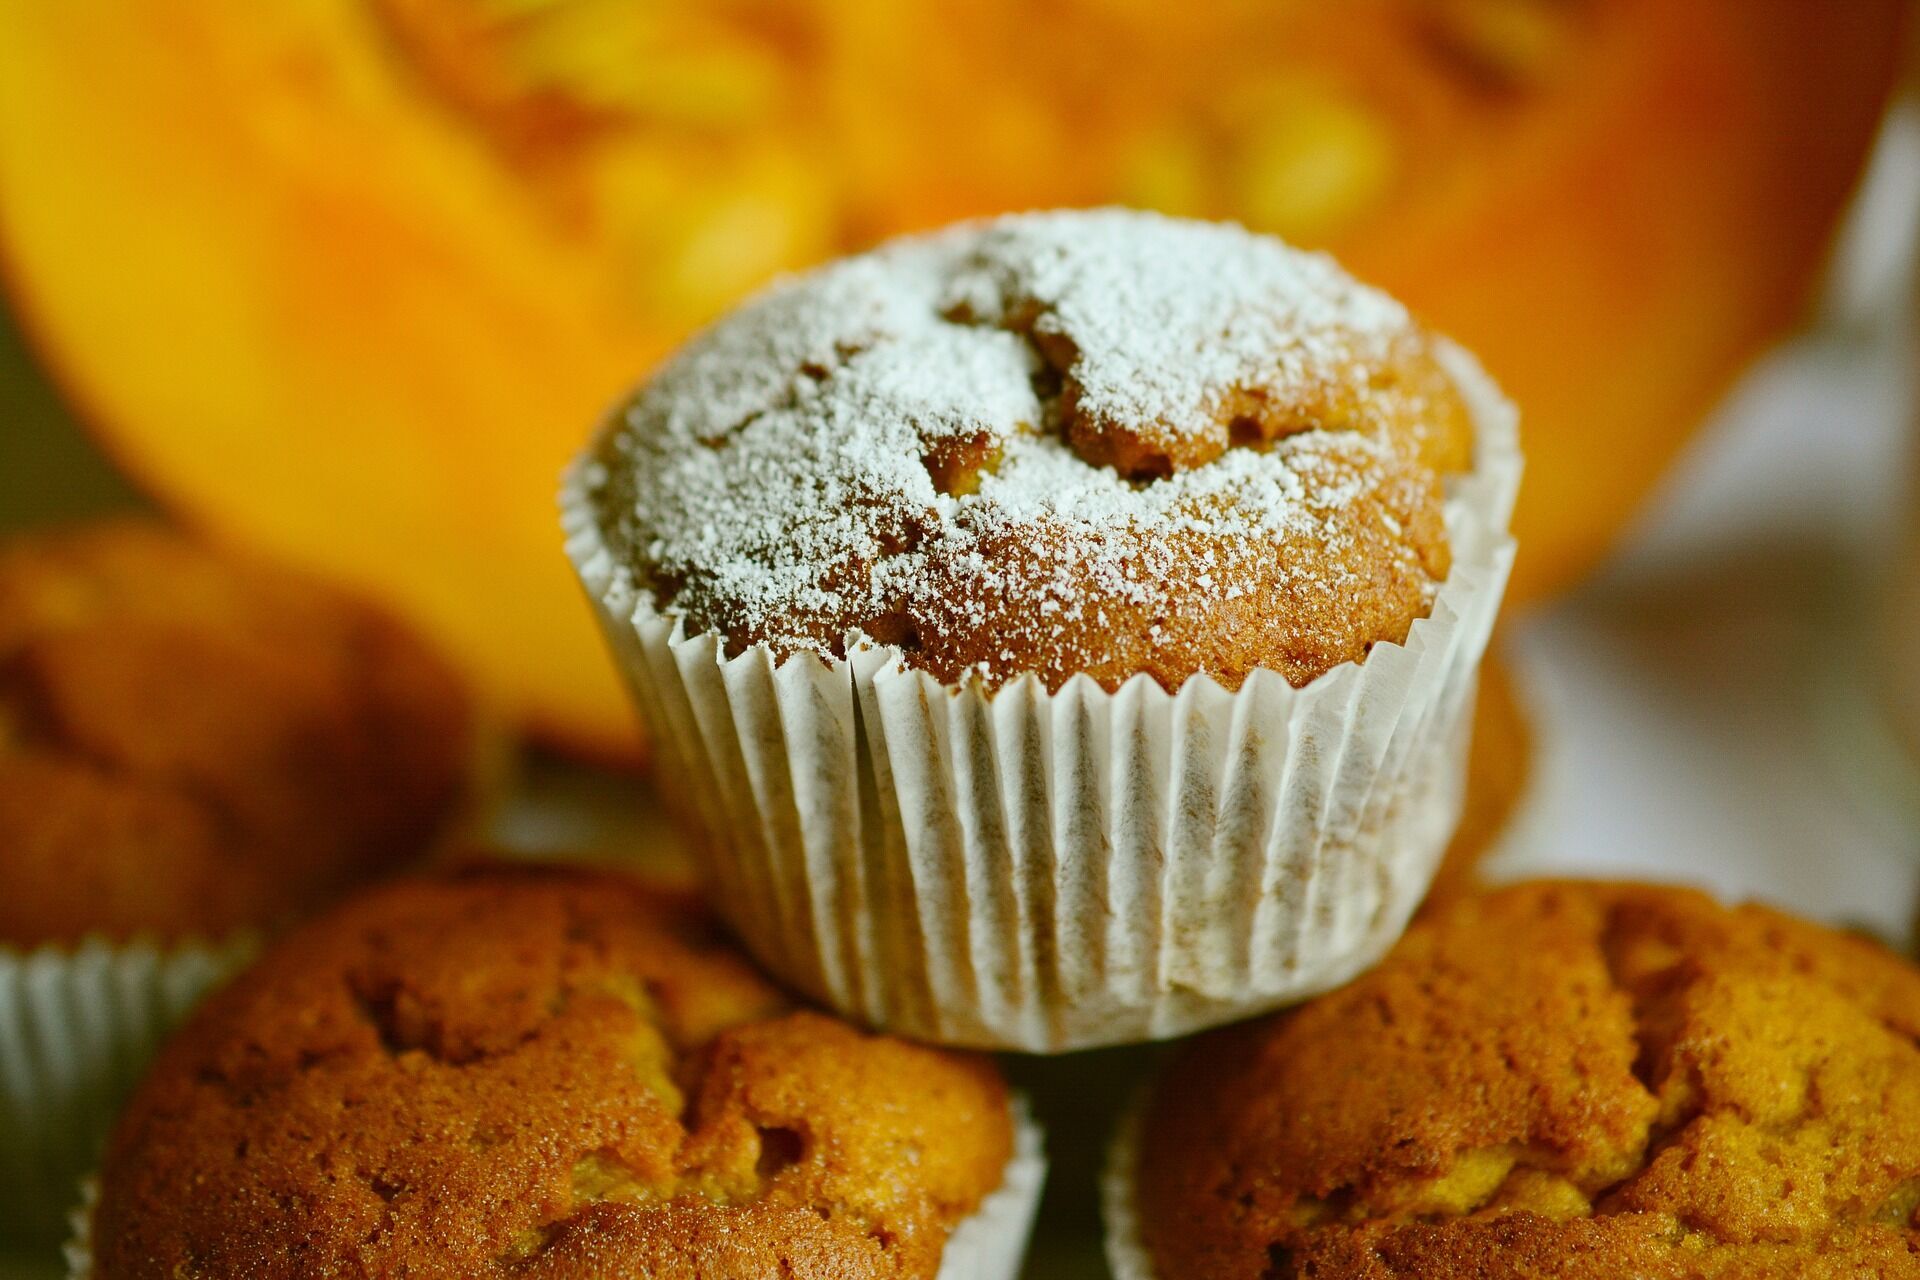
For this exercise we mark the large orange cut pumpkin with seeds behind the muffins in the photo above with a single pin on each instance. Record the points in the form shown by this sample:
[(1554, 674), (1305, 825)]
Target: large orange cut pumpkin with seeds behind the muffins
[(350, 279)]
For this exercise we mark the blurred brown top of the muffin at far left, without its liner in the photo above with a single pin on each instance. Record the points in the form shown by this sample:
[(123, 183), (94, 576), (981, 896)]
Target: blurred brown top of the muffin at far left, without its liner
[(193, 742)]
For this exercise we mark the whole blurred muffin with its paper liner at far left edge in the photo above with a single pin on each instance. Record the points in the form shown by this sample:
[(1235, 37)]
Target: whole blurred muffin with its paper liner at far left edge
[(191, 747)]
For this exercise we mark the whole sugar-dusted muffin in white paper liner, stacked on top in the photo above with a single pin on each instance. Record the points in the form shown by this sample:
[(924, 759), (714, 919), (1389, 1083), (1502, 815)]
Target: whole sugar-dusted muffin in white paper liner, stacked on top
[(1059, 630)]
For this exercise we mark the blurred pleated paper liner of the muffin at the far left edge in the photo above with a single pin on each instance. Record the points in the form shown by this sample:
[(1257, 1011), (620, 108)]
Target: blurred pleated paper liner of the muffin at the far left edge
[(78, 1028)]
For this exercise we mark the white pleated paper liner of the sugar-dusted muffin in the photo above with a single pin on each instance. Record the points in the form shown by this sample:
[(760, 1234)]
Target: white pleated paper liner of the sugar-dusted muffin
[(1044, 872)]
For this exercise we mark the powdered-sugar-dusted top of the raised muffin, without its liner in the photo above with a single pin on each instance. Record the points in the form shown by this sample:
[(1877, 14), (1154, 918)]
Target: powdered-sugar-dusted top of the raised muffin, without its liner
[(1093, 442)]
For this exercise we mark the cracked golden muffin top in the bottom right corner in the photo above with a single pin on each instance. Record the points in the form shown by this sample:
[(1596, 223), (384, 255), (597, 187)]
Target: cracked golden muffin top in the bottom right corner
[(1581, 1081)]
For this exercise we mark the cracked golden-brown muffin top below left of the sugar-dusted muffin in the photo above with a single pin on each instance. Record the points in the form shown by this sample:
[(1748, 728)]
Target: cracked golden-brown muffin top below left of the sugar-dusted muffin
[(539, 1074)]
